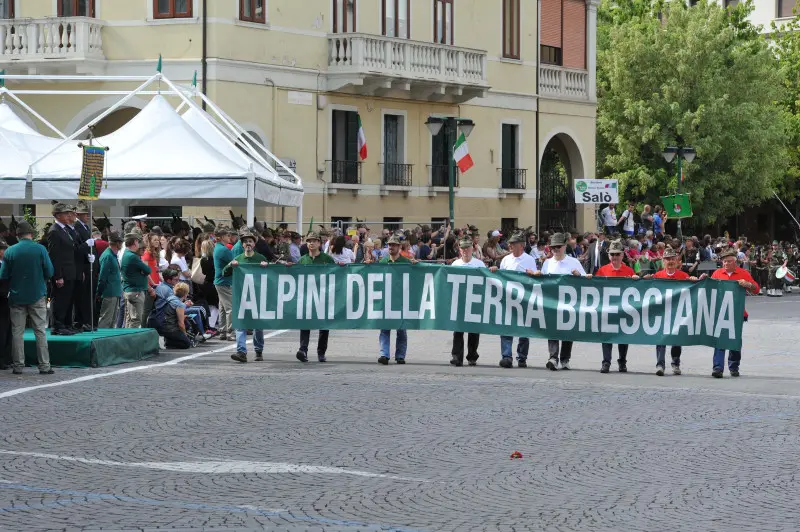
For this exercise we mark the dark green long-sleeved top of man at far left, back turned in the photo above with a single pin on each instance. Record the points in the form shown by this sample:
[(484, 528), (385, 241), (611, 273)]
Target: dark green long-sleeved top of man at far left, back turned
[(27, 267)]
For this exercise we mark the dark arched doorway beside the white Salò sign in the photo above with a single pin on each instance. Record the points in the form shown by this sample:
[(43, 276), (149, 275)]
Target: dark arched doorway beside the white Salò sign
[(560, 165)]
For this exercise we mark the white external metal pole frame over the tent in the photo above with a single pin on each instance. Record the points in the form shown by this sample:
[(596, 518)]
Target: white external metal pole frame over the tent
[(231, 130)]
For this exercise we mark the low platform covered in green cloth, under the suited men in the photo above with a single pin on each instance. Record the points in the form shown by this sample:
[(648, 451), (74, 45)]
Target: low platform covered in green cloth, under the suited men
[(105, 347)]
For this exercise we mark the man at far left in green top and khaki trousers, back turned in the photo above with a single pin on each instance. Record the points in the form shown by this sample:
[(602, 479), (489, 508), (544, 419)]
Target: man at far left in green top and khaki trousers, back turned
[(27, 267)]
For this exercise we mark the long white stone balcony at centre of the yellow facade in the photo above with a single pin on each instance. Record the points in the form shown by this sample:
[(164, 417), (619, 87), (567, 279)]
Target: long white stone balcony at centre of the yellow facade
[(385, 66)]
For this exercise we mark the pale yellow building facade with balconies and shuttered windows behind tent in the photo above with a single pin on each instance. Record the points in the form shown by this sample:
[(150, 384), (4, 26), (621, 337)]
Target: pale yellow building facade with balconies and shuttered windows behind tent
[(299, 74)]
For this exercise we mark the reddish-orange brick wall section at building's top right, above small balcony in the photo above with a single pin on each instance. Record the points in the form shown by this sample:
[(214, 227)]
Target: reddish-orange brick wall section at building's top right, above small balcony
[(573, 40)]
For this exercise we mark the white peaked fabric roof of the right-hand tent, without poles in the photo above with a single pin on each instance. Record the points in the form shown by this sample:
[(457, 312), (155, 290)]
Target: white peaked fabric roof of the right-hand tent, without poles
[(157, 154)]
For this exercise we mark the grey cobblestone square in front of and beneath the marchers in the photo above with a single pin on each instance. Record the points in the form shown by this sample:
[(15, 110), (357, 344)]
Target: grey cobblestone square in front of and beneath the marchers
[(208, 444)]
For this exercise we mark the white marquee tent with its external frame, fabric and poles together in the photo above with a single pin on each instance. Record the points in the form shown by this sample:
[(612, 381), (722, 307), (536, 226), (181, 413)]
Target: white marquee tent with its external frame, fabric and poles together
[(157, 156)]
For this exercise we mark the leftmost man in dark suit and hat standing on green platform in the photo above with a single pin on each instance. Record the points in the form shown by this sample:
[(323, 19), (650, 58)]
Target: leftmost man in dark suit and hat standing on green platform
[(62, 244)]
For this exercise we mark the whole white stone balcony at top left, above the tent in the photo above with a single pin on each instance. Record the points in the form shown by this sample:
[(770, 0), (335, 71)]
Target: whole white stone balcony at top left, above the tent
[(50, 45)]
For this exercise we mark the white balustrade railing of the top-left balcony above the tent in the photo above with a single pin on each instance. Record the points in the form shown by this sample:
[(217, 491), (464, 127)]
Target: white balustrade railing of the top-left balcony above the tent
[(51, 38)]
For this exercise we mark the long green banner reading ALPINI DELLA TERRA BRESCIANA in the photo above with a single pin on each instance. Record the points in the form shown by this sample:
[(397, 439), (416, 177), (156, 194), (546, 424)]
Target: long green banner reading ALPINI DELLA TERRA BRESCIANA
[(433, 297)]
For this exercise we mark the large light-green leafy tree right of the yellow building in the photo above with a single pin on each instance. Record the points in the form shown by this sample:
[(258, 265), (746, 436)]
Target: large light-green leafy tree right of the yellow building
[(702, 77)]
